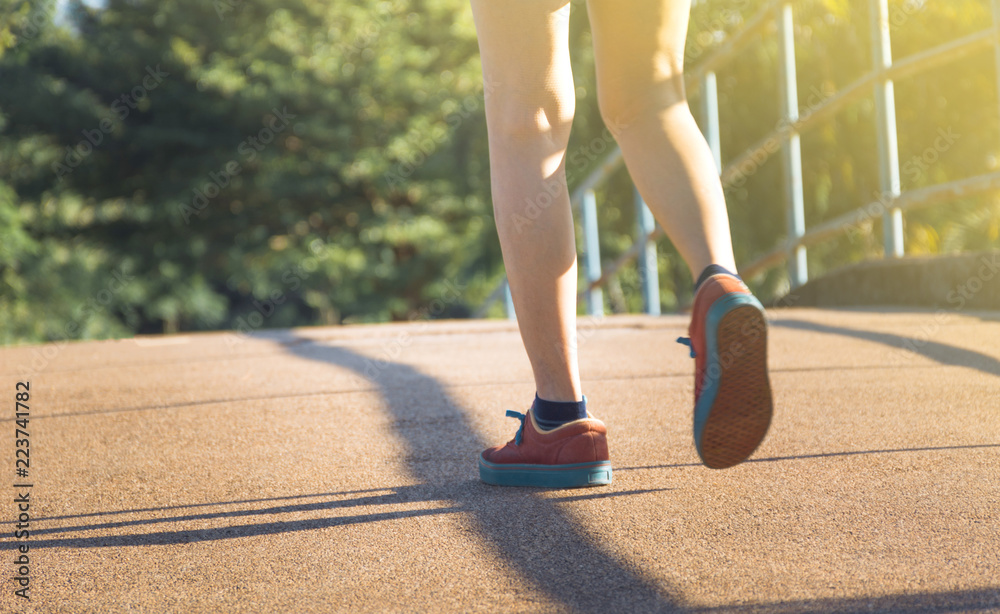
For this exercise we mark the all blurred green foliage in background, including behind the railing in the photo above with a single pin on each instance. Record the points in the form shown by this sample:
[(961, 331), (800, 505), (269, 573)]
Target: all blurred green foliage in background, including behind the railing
[(189, 165)]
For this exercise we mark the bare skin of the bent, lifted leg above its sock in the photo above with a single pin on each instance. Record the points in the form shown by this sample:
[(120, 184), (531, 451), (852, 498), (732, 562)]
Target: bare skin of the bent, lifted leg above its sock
[(639, 51)]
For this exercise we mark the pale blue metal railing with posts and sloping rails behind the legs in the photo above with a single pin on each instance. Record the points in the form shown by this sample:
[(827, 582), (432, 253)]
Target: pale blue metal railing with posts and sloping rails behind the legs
[(786, 138)]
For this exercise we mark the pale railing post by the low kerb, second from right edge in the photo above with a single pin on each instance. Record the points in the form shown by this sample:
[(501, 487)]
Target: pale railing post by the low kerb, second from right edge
[(885, 120)]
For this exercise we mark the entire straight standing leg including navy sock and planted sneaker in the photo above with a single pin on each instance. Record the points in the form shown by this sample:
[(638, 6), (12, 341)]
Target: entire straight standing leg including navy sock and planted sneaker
[(529, 109)]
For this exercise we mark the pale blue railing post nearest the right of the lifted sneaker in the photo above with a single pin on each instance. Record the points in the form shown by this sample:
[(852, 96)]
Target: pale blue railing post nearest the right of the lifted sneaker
[(798, 272)]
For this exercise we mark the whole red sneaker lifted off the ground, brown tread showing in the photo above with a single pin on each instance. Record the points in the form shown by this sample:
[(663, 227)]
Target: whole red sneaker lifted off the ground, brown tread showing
[(728, 341)]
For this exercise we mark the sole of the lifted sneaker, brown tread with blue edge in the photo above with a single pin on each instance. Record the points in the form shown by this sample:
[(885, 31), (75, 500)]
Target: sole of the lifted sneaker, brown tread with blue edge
[(748, 424)]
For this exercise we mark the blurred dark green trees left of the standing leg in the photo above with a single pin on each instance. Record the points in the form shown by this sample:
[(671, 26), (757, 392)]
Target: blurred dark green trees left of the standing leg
[(308, 161)]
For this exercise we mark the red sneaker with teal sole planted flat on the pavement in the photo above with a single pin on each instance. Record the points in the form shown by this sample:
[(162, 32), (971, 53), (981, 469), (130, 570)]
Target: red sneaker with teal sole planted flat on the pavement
[(574, 454)]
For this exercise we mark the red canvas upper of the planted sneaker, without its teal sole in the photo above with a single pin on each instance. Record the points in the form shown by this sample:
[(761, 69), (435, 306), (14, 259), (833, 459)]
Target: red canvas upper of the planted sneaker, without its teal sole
[(580, 441)]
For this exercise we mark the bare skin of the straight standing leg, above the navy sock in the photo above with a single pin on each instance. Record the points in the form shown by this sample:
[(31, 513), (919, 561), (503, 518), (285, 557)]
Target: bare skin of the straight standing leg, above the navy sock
[(529, 110)]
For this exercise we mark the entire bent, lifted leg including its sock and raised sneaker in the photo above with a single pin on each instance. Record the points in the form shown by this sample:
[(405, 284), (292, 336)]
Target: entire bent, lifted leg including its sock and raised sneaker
[(639, 52)]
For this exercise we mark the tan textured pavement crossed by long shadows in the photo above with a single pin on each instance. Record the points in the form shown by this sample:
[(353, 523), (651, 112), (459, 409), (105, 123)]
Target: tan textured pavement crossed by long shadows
[(334, 470)]
